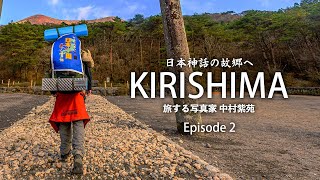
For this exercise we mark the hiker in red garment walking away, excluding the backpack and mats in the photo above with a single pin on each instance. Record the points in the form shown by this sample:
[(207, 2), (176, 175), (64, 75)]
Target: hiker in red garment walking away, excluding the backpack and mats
[(70, 117)]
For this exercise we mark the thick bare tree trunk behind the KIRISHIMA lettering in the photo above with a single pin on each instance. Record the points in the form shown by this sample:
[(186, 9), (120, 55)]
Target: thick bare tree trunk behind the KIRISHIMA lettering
[(177, 47)]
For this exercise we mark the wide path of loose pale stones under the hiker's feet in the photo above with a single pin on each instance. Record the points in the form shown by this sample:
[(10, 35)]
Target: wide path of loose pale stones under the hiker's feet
[(117, 147)]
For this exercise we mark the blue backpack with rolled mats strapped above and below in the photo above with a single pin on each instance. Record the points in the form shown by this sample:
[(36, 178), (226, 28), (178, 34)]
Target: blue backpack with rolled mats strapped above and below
[(67, 67)]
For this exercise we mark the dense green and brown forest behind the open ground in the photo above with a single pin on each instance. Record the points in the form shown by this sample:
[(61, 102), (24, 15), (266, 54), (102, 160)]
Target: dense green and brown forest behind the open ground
[(287, 40)]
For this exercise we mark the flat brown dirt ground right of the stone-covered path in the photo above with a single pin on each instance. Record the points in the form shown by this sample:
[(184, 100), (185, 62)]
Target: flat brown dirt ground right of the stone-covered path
[(280, 141)]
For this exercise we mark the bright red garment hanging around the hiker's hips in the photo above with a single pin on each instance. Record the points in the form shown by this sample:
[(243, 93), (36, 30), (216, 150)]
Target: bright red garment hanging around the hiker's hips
[(68, 108)]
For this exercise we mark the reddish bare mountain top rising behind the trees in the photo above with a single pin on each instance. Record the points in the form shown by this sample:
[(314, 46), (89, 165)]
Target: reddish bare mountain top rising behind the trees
[(42, 19)]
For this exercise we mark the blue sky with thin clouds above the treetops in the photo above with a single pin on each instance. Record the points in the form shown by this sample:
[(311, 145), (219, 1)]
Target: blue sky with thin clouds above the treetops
[(15, 10)]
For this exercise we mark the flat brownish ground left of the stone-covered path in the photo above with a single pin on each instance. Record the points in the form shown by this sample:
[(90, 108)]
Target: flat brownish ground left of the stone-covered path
[(14, 106)]
